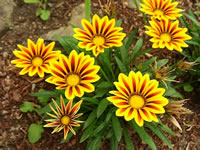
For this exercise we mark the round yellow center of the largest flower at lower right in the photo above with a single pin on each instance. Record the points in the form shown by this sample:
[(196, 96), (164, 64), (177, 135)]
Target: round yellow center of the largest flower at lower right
[(136, 101)]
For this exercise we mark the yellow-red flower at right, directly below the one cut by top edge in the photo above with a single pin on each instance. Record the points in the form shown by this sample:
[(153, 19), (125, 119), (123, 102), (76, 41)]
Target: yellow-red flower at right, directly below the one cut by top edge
[(167, 34)]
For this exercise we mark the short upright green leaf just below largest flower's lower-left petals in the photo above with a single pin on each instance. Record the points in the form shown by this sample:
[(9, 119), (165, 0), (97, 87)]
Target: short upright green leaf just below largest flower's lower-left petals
[(116, 128)]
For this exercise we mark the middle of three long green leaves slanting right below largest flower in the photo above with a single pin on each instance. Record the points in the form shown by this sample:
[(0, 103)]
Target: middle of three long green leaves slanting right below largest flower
[(159, 133)]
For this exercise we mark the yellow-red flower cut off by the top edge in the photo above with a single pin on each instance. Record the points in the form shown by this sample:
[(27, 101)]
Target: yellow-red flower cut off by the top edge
[(161, 9)]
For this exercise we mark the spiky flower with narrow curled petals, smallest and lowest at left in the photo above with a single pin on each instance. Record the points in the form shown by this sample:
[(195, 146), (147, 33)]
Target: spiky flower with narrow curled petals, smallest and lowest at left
[(65, 117)]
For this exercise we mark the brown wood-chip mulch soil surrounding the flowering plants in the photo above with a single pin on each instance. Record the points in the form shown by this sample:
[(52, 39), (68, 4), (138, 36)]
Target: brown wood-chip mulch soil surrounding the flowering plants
[(16, 89)]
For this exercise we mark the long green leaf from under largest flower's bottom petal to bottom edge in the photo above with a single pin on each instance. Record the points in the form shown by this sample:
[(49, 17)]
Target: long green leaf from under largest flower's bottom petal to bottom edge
[(143, 134)]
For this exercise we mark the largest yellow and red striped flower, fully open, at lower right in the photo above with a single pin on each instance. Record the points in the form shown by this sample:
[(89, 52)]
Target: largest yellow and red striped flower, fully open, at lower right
[(138, 98)]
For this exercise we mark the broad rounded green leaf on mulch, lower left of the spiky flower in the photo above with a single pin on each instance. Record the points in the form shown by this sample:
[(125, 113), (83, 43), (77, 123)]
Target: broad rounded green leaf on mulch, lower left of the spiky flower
[(35, 132)]
